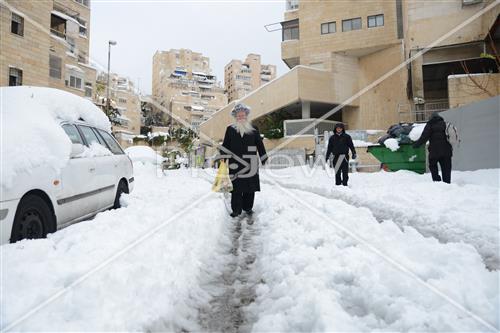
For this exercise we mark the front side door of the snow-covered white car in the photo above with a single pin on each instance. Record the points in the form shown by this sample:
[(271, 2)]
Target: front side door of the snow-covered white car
[(74, 200)]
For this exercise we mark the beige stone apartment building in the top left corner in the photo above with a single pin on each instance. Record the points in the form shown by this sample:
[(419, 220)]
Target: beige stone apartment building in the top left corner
[(46, 43)]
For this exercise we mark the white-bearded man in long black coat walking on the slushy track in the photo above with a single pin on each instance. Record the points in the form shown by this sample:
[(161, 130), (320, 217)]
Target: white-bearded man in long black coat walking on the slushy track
[(242, 142)]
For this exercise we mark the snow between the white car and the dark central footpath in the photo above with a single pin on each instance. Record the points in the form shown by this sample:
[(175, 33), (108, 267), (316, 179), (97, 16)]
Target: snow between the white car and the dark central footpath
[(156, 281)]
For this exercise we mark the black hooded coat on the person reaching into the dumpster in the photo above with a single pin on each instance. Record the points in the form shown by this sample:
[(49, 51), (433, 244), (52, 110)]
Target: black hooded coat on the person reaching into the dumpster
[(435, 132)]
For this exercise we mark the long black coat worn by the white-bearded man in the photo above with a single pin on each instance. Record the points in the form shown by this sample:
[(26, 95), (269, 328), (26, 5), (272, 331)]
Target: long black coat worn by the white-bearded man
[(244, 169)]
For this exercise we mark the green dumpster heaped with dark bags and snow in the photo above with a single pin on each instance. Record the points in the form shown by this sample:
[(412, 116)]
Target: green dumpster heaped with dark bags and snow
[(405, 158)]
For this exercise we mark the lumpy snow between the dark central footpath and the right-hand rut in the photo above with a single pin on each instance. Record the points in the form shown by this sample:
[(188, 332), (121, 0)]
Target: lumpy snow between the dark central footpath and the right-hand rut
[(316, 278)]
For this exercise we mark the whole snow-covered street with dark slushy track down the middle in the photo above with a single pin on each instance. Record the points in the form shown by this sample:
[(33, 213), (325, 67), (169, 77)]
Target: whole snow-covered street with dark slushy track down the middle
[(312, 258)]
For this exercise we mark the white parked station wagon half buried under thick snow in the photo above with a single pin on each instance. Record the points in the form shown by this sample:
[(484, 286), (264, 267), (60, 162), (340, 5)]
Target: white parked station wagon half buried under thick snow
[(45, 200)]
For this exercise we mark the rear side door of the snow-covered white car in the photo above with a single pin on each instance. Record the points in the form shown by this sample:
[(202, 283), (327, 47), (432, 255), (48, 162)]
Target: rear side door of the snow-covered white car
[(105, 174)]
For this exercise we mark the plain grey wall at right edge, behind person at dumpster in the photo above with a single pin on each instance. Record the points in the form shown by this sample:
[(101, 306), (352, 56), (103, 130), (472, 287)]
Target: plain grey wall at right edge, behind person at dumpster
[(478, 125)]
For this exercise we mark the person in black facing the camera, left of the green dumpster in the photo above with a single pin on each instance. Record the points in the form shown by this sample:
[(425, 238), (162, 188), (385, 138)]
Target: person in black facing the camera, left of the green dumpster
[(338, 145)]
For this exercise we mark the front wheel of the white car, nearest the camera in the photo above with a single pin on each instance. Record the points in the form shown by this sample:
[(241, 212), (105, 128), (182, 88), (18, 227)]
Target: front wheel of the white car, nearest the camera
[(32, 219)]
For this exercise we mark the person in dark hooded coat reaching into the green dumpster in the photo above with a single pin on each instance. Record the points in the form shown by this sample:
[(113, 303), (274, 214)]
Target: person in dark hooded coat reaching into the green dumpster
[(440, 150)]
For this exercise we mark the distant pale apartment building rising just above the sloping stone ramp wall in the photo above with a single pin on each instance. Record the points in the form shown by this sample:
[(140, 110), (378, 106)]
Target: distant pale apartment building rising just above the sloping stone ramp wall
[(242, 77)]
